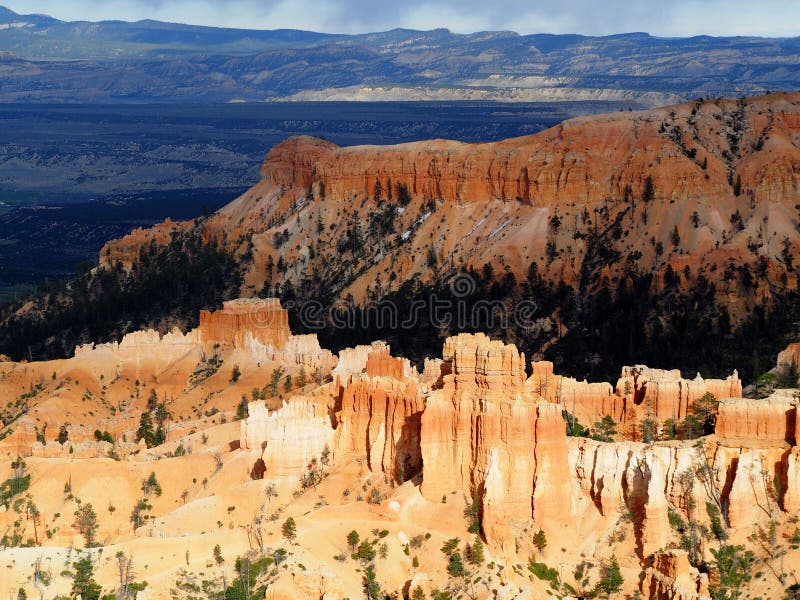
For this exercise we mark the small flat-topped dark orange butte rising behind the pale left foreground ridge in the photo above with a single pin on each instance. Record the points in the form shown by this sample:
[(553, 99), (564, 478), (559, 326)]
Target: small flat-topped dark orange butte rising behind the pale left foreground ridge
[(263, 320)]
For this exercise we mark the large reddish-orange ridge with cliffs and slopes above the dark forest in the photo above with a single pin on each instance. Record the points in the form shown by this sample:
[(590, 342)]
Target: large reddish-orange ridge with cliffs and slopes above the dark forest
[(498, 200)]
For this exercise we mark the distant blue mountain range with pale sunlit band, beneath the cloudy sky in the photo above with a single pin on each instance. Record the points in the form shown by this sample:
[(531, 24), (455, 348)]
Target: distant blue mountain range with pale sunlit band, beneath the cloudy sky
[(43, 59)]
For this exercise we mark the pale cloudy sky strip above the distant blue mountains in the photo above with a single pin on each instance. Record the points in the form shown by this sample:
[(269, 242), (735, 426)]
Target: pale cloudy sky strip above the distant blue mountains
[(673, 18)]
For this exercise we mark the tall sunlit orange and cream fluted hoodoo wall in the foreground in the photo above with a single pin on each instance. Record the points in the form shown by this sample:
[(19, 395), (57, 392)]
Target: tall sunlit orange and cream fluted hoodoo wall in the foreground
[(499, 441)]
